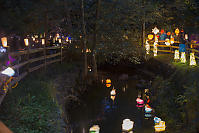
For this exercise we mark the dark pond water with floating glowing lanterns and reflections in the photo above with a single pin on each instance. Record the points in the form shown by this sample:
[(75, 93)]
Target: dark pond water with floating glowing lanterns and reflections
[(98, 108)]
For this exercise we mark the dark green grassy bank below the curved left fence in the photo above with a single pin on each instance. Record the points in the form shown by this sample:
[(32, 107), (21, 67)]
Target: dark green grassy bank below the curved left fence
[(30, 107)]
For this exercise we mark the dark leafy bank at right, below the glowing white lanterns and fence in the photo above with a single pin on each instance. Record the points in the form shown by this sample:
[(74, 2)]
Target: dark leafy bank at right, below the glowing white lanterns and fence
[(180, 108)]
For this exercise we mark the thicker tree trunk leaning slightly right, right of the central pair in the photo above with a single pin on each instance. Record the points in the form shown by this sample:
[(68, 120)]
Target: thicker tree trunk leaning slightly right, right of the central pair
[(93, 53)]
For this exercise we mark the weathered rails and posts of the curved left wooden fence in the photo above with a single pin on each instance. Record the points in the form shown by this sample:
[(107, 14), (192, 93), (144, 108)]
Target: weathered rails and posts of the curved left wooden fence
[(26, 63)]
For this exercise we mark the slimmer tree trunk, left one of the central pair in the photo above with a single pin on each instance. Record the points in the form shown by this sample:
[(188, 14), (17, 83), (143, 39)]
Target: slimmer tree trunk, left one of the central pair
[(85, 73)]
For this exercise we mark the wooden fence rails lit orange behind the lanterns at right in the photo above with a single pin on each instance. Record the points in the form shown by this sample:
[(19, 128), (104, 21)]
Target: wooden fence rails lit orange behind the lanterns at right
[(171, 48)]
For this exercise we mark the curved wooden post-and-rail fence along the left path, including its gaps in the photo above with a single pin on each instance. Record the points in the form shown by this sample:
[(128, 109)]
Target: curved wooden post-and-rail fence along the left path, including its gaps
[(30, 60)]
